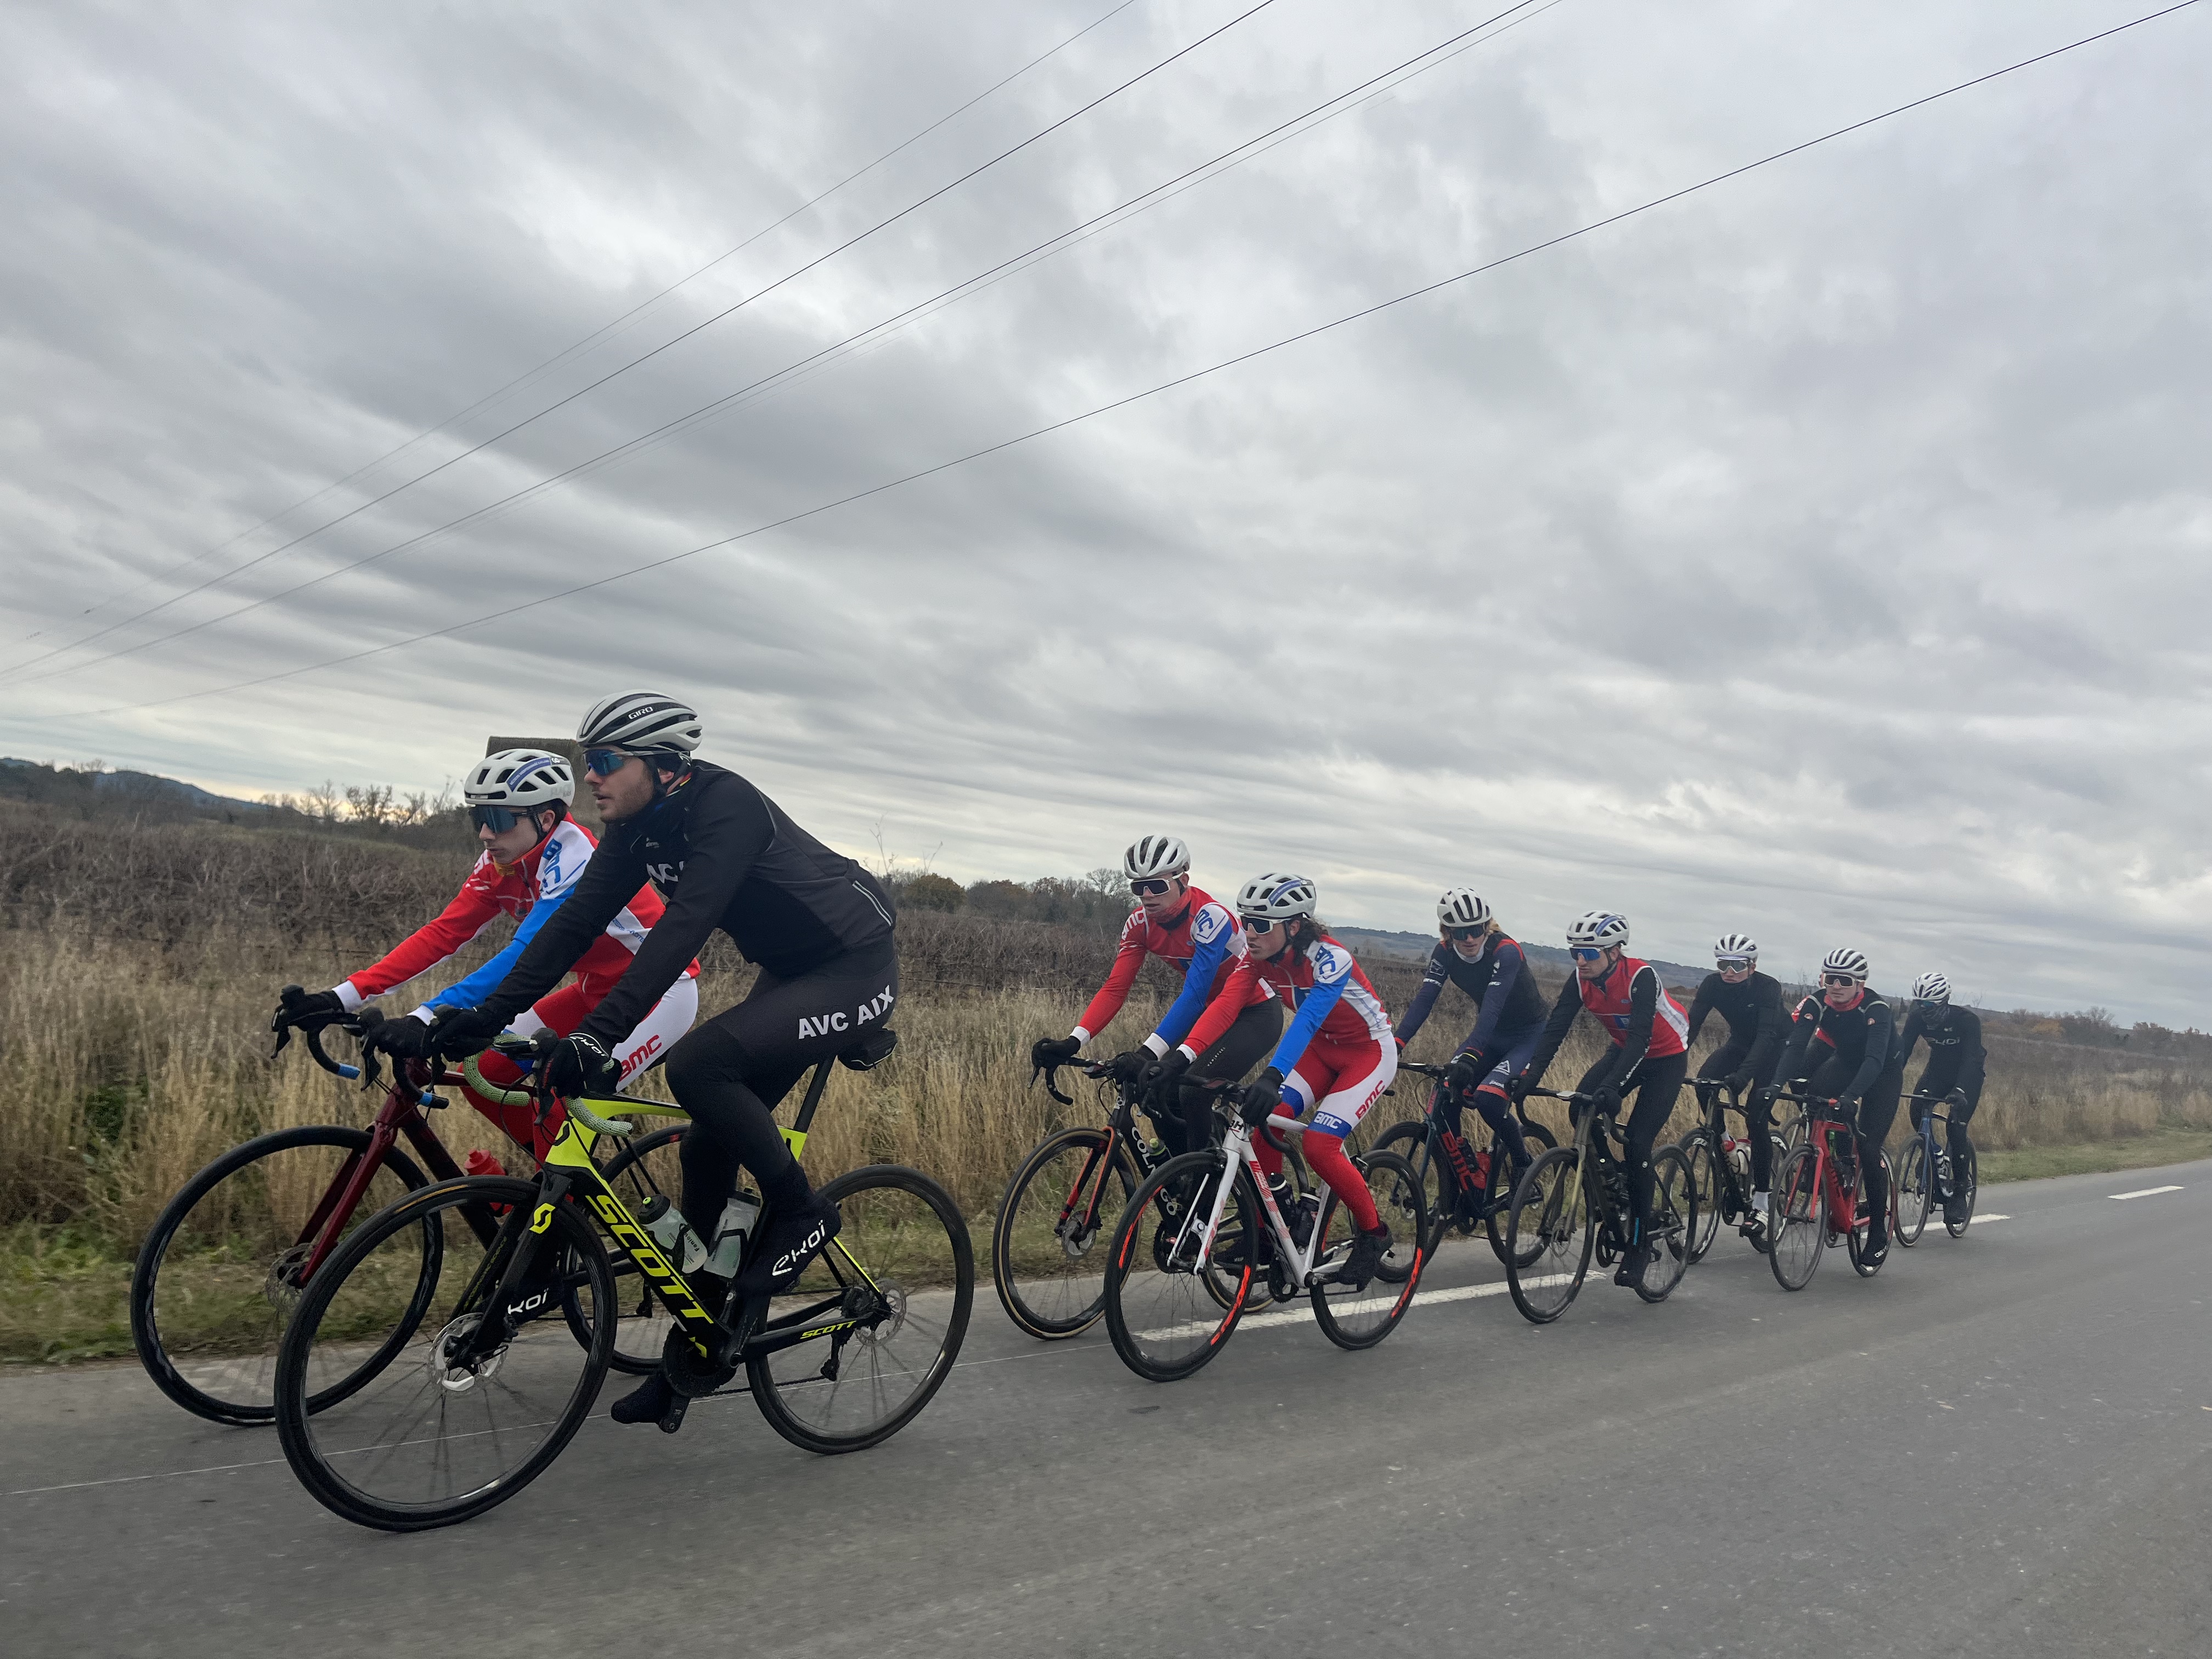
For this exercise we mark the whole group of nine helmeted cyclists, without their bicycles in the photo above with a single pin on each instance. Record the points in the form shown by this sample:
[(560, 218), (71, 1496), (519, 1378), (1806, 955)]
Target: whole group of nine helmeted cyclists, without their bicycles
[(1269, 999)]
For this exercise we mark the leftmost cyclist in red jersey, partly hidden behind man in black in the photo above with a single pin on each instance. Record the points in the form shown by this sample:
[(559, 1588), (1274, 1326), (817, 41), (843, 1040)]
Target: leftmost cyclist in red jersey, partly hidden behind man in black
[(534, 855)]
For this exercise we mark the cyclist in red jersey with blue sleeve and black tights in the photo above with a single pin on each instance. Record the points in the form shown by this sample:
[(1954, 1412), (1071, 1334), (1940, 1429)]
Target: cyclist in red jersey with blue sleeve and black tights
[(1202, 939)]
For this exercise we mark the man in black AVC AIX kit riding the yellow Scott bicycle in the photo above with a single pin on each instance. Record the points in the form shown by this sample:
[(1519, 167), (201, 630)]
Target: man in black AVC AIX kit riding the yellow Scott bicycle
[(813, 921)]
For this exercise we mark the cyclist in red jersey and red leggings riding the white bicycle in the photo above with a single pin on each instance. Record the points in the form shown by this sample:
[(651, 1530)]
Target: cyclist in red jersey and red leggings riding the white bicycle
[(1335, 1058)]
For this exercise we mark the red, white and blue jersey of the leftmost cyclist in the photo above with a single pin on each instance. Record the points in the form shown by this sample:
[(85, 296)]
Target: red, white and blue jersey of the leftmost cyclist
[(530, 890)]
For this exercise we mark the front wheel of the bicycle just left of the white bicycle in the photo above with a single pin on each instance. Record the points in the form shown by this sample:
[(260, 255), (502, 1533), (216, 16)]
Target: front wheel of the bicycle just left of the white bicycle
[(1054, 1224)]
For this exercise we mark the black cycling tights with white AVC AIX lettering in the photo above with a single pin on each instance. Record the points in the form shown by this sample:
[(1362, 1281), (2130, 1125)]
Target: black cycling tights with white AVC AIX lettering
[(733, 1070)]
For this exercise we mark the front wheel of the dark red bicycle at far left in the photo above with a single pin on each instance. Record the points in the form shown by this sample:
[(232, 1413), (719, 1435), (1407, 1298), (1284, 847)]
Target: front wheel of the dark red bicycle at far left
[(220, 1271)]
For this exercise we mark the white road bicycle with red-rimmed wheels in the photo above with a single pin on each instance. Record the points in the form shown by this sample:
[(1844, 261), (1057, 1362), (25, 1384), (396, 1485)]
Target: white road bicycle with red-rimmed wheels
[(1200, 1235)]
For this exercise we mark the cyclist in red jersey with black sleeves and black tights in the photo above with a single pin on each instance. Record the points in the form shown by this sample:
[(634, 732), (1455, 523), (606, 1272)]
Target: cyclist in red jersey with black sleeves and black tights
[(1649, 1054)]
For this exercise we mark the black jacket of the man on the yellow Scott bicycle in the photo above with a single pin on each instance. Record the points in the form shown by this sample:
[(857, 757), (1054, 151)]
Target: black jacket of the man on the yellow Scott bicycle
[(727, 857)]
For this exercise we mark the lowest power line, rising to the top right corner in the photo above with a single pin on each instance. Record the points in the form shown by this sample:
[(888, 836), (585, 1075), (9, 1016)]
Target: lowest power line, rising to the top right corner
[(1154, 390)]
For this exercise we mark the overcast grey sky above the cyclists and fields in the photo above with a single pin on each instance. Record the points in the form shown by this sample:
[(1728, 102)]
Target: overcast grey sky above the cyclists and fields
[(1824, 556)]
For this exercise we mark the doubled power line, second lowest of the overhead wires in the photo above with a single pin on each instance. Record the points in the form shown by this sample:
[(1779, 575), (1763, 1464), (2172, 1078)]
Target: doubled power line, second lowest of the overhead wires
[(875, 333)]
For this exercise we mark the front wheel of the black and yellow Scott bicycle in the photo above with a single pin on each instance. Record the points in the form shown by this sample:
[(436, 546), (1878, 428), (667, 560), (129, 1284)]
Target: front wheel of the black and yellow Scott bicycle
[(320, 1448)]
